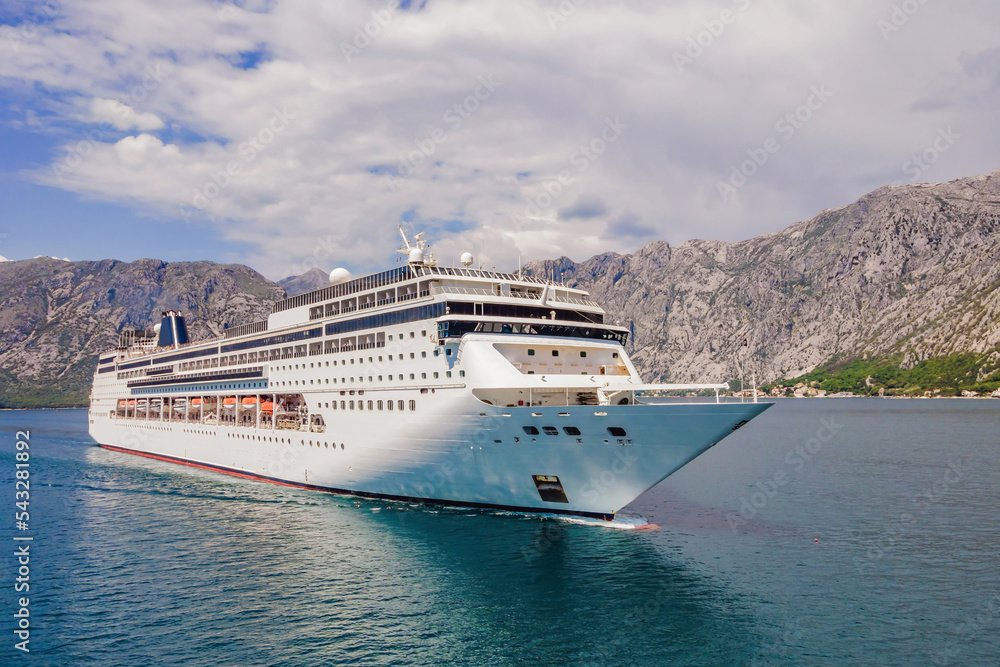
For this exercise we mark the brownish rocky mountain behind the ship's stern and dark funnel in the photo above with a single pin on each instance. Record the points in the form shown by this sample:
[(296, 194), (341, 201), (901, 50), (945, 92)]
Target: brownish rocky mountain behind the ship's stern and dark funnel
[(56, 316)]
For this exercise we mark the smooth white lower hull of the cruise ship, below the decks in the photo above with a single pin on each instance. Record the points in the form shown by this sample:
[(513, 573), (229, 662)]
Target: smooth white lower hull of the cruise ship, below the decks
[(479, 456)]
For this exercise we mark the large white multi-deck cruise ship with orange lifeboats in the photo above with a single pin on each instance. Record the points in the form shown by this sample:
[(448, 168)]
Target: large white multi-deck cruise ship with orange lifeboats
[(453, 386)]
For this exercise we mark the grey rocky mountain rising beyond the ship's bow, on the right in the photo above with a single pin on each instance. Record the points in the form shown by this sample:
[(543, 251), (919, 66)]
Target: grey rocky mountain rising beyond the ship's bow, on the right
[(909, 272)]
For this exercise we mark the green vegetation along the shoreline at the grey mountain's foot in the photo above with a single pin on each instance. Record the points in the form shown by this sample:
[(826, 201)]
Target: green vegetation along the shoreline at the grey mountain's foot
[(943, 376)]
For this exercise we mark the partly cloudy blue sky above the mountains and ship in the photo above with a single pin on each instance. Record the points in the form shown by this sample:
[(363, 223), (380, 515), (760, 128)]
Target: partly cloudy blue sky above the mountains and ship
[(287, 135)]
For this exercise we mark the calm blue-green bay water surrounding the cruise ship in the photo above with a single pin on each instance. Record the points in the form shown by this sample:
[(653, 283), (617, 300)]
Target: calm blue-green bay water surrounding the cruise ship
[(142, 562)]
